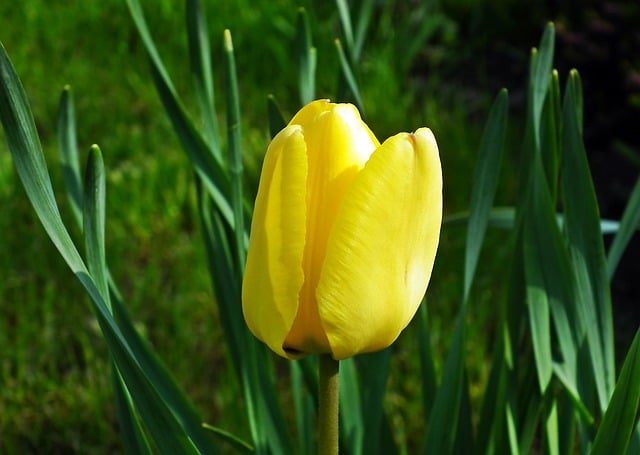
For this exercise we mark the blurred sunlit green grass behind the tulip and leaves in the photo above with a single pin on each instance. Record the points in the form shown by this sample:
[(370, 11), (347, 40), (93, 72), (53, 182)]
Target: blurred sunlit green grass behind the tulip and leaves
[(55, 393)]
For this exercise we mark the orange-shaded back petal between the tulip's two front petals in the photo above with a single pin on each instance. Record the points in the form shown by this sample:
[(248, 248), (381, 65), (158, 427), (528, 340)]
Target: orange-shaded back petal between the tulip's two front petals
[(338, 146)]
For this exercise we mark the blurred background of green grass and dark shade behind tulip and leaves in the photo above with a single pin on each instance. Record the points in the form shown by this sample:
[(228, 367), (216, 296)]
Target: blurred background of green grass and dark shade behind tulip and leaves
[(433, 63)]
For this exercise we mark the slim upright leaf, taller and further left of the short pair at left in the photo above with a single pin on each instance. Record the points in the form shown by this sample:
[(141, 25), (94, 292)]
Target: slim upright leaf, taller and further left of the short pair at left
[(68, 147)]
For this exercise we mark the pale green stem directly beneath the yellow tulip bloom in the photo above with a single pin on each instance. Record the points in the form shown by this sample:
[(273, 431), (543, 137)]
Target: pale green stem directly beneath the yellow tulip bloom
[(328, 406)]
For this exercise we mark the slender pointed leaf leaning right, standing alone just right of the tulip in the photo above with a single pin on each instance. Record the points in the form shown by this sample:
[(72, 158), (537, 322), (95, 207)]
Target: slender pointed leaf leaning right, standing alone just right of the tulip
[(485, 182)]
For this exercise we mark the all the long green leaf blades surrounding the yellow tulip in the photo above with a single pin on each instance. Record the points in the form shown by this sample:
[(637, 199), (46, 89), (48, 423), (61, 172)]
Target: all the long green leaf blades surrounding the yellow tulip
[(552, 382)]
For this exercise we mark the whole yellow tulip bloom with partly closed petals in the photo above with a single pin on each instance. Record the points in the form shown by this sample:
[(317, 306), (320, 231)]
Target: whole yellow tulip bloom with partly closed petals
[(344, 234)]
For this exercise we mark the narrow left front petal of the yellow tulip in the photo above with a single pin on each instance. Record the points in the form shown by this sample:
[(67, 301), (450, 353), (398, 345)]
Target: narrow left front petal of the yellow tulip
[(273, 273)]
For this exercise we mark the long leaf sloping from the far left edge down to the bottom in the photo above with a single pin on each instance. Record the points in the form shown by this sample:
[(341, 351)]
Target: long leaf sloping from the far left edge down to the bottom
[(167, 415)]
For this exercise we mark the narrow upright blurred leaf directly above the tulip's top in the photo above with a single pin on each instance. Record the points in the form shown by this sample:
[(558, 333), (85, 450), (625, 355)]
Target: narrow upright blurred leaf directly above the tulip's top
[(306, 54)]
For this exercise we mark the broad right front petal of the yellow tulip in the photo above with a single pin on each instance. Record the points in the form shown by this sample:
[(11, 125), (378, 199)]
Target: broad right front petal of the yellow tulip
[(381, 251)]
